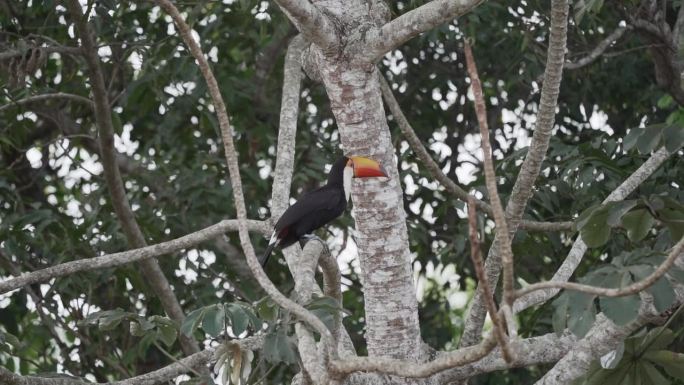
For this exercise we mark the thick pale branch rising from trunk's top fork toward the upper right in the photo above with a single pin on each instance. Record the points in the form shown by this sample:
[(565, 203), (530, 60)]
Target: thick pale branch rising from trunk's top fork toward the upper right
[(414, 22)]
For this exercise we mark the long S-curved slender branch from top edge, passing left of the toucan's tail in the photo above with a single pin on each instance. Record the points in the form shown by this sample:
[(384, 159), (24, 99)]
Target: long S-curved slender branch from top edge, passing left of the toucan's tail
[(236, 182)]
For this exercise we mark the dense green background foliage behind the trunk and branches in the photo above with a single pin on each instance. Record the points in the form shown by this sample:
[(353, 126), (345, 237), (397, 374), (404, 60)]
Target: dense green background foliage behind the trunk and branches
[(55, 207)]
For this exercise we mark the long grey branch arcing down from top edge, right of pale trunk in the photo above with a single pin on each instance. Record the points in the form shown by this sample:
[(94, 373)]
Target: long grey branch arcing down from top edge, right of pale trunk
[(522, 190)]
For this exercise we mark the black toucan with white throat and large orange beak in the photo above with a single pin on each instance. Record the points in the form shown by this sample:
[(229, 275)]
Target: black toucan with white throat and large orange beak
[(318, 207)]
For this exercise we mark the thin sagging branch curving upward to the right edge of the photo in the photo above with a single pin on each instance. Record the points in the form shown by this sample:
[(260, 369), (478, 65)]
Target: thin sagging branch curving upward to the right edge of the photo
[(606, 292)]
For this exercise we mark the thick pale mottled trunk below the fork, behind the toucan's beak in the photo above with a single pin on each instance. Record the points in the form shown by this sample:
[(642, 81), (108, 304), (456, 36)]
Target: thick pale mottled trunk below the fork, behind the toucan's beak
[(391, 314)]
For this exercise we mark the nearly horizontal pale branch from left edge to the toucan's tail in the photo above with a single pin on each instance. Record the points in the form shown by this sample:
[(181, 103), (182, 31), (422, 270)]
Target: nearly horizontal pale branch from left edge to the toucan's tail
[(129, 256)]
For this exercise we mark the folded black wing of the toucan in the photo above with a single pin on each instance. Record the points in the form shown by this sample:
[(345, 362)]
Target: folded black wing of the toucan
[(312, 211)]
